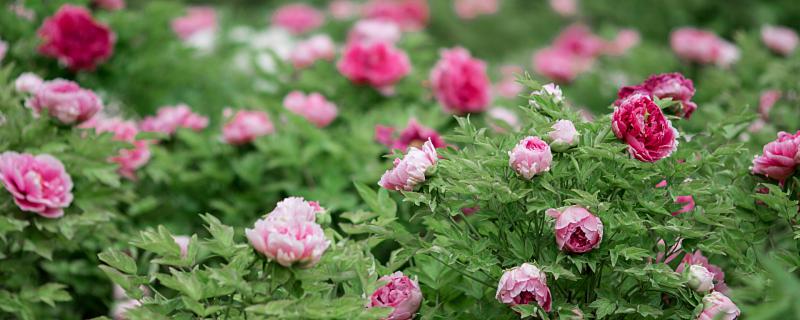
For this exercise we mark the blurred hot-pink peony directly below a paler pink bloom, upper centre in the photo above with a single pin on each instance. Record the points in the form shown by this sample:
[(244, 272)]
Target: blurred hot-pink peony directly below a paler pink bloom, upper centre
[(378, 64)]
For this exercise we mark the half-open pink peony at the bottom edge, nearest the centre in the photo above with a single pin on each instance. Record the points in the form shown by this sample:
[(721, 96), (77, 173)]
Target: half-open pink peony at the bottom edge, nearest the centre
[(400, 293)]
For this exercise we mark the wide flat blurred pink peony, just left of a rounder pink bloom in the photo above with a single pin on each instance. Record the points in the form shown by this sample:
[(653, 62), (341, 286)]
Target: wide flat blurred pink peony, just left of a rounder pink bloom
[(170, 118)]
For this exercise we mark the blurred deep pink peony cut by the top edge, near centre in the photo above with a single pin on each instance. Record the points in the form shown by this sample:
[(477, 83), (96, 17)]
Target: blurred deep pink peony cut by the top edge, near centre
[(410, 15)]
